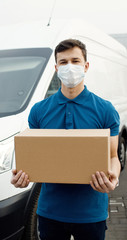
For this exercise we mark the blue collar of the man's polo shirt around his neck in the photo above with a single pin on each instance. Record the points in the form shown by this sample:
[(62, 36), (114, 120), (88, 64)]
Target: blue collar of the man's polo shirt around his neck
[(79, 99)]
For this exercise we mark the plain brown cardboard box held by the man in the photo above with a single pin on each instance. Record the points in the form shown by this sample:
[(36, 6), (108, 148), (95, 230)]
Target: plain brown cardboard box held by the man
[(62, 156)]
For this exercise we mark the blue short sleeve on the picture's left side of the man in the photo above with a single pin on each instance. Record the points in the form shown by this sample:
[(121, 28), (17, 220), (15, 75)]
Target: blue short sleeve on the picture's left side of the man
[(32, 118)]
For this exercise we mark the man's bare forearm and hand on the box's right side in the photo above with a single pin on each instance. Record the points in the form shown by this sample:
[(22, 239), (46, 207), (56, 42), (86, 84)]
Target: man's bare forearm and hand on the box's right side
[(99, 181)]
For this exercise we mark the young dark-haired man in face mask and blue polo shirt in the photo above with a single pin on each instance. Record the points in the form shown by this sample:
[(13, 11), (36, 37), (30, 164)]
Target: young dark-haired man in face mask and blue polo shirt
[(65, 209)]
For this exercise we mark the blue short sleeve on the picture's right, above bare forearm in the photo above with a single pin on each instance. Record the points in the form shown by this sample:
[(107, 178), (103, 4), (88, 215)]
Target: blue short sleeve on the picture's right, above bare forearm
[(112, 120)]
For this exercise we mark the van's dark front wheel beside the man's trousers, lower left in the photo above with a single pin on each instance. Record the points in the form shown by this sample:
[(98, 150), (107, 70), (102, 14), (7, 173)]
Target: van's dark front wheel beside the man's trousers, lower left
[(31, 228)]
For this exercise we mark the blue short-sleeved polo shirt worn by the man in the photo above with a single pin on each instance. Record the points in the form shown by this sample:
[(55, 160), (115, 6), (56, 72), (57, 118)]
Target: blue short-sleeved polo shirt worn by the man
[(76, 203)]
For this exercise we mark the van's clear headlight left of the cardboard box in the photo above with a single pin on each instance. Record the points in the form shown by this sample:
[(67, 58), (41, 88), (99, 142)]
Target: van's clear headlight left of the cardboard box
[(6, 155)]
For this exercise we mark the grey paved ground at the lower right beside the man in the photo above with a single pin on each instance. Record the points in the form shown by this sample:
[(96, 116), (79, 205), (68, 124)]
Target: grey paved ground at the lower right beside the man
[(117, 221)]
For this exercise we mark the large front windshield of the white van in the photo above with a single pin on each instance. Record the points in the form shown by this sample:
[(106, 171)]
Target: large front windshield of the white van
[(20, 72)]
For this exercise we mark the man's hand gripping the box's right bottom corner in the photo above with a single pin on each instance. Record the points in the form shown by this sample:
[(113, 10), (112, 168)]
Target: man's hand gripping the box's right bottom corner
[(101, 183)]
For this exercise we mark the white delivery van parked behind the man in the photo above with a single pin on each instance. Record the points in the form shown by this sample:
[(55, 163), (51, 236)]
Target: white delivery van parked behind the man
[(27, 75)]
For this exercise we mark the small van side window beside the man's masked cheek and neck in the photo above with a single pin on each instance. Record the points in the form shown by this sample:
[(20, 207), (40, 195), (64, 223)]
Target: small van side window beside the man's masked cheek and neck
[(54, 85)]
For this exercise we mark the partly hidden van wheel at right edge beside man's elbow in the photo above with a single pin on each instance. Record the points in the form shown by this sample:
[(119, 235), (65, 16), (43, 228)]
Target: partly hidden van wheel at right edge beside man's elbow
[(122, 153)]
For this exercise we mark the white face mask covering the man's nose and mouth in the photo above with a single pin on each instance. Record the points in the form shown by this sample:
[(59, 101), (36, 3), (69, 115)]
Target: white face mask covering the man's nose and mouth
[(71, 75)]
